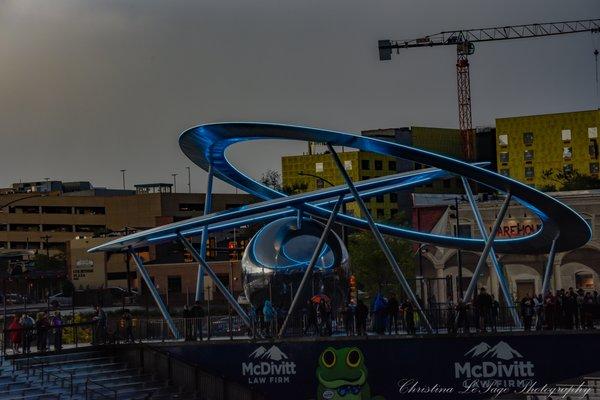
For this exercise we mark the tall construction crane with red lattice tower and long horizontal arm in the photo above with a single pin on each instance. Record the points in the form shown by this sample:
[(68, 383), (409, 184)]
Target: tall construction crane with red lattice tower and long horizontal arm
[(464, 41)]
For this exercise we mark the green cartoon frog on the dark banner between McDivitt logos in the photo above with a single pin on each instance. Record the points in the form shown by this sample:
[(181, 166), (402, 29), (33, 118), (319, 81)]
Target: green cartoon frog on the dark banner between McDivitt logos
[(342, 375)]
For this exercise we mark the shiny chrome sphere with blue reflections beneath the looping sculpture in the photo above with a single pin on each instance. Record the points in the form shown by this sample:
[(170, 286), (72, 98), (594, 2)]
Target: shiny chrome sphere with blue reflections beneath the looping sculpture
[(278, 255)]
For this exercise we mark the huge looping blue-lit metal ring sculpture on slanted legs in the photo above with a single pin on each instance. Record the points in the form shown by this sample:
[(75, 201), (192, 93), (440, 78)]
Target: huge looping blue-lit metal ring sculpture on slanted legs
[(205, 145)]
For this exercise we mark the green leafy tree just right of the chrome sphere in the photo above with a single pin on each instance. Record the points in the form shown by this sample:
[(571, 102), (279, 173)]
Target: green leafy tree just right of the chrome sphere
[(370, 266)]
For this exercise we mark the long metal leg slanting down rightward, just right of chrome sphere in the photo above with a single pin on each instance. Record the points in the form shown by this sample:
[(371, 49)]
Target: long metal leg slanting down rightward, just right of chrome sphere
[(379, 237)]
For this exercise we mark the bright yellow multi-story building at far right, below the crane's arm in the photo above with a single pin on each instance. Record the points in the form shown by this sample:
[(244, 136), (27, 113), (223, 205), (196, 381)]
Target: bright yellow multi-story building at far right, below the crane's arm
[(530, 146)]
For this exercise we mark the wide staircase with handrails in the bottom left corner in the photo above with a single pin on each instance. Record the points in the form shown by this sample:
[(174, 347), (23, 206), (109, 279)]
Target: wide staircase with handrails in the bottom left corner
[(90, 375)]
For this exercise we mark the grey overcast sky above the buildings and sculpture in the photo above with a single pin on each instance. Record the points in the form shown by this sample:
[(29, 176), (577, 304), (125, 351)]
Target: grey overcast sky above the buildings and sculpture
[(91, 87)]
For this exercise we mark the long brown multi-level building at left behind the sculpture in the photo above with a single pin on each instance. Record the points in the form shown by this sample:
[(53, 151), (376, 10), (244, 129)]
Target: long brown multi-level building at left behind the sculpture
[(47, 216)]
